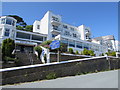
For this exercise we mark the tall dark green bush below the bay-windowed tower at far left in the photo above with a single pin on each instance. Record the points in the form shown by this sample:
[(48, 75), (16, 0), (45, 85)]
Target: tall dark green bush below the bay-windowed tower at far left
[(8, 45)]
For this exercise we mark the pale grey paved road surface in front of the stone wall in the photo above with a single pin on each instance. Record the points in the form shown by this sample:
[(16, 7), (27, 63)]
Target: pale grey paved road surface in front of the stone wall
[(108, 79)]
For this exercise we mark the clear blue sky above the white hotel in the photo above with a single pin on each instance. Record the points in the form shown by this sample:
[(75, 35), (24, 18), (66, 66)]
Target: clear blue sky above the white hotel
[(101, 17)]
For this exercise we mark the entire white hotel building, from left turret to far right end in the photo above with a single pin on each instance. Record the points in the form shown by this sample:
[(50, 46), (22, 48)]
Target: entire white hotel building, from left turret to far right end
[(52, 27)]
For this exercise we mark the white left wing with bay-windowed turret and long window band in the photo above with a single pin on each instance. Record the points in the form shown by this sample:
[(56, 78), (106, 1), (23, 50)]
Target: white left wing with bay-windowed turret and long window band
[(23, 39)]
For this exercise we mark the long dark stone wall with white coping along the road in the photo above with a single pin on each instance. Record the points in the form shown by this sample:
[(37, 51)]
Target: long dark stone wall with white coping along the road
[(61, 70)]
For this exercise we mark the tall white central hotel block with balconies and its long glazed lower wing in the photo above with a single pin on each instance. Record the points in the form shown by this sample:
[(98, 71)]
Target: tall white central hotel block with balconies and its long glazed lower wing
[(77, 38)]
